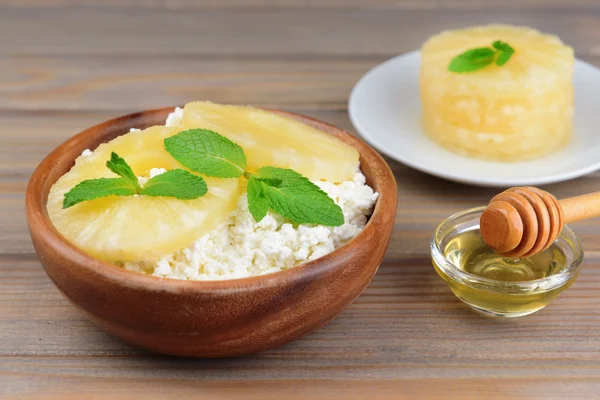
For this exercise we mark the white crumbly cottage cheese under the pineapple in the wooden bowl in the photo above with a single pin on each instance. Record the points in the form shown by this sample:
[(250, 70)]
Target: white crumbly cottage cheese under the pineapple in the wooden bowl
[(241, 247)]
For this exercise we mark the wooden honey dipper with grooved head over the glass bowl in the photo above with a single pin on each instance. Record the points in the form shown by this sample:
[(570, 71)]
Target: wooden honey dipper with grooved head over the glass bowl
[(523, 221)]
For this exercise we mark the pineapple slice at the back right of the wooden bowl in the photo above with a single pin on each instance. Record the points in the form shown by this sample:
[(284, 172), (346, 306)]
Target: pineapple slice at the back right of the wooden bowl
[(271, 139)]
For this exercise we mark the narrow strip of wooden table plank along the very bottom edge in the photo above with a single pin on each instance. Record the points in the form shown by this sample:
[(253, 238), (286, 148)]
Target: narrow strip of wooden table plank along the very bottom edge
[(89, 388)]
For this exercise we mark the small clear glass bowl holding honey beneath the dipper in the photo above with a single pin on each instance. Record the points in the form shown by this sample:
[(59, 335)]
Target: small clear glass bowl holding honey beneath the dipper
[(500, 298)]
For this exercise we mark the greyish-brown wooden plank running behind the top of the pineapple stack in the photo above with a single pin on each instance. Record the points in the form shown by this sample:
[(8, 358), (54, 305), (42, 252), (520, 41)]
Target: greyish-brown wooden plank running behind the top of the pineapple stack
[(273, 33)]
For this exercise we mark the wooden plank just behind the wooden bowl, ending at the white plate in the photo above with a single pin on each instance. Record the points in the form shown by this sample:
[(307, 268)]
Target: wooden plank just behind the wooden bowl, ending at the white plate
[(136, 83)]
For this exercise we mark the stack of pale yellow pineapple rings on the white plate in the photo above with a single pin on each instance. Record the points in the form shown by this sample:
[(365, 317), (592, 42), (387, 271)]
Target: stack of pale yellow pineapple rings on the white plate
[(521, 110)]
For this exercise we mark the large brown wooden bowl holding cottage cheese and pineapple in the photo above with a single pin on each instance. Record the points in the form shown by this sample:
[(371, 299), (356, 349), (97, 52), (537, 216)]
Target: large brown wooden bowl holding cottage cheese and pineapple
[(207, 318)]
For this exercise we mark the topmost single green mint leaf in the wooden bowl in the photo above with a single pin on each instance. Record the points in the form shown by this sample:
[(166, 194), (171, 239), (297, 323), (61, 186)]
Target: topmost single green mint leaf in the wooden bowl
[(207, 152)]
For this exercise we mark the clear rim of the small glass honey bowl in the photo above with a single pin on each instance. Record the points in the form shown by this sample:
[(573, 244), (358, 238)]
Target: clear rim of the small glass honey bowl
[(492, 285)]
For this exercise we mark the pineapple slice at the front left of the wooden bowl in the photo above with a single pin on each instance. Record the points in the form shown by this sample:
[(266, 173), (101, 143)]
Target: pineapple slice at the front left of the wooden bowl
[(117, 229)]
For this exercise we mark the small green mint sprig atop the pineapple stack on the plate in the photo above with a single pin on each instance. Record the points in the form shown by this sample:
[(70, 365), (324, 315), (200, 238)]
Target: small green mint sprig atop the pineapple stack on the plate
[(480, 57)]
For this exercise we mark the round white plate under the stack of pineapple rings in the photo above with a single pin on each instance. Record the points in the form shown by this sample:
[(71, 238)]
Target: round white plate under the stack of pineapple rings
[(385, 109)]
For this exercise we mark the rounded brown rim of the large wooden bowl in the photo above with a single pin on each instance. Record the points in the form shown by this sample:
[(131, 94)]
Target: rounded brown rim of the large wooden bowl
[(40, 223)]
